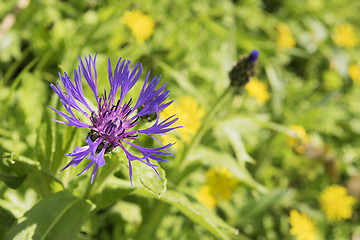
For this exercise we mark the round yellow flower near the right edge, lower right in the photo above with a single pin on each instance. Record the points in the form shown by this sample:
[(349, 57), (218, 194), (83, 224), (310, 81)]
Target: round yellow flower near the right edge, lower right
[(335, 202)]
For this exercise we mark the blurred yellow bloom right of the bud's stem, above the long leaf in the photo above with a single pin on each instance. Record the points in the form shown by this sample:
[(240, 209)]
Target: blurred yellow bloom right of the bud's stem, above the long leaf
[(219, 186)]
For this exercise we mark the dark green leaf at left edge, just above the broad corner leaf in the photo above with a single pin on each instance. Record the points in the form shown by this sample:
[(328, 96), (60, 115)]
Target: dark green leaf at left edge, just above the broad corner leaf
[(36, 177)]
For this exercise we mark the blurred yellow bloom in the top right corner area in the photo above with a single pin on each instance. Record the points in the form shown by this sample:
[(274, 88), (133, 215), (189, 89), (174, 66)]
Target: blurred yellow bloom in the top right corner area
[(345, 36)]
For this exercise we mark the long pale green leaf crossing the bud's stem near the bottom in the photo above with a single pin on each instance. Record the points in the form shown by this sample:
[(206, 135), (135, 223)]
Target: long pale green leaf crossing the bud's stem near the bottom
[(196, 212)]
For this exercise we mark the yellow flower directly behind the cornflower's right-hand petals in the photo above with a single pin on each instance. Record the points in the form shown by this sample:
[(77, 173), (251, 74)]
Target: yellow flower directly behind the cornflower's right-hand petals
[(190, 114)]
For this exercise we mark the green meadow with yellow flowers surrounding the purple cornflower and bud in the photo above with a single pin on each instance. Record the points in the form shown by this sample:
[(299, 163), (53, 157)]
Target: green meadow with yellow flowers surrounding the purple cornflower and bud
[(277, 159)]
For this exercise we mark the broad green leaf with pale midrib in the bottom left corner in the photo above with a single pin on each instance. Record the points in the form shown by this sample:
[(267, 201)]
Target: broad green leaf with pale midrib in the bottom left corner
[(58, 217)]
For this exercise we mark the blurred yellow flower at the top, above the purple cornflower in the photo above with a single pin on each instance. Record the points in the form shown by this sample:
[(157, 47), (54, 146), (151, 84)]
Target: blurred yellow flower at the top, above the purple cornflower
[(141, 25)]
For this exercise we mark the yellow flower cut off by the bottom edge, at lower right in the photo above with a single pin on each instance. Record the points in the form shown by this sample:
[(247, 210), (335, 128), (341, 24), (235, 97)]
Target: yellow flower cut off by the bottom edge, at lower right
[(302, 226)]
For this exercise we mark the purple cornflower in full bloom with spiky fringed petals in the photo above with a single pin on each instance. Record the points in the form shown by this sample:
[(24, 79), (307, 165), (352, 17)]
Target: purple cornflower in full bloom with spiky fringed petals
[(113, 123)]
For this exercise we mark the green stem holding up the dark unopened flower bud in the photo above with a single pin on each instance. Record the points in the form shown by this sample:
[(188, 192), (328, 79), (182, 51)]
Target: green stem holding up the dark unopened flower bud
[(153, 220)]
